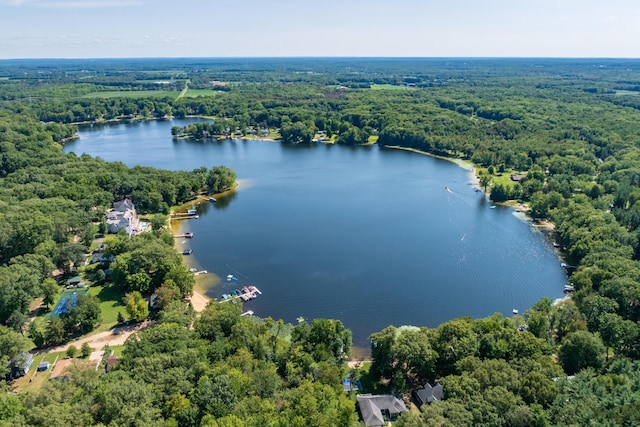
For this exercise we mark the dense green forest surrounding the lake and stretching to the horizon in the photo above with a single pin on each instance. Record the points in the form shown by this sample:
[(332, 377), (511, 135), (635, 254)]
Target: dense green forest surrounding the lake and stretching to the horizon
[(570, 129)]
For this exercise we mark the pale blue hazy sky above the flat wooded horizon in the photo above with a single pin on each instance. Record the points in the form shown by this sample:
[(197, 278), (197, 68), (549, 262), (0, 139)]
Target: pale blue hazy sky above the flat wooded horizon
[(294, 28)]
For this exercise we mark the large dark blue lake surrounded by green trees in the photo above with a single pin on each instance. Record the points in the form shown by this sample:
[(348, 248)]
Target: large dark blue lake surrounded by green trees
[(373, 237)]
